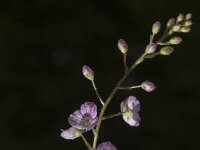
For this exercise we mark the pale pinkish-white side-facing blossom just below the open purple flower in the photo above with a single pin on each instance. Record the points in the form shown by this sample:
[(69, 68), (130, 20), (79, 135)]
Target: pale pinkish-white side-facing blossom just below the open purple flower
[(71, 133)]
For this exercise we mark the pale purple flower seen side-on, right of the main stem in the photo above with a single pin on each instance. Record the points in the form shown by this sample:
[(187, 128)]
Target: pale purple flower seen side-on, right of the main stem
[(130, 108)]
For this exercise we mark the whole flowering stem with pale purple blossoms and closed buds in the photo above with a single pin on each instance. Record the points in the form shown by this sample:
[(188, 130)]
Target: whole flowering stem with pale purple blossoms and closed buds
[(87, 119)]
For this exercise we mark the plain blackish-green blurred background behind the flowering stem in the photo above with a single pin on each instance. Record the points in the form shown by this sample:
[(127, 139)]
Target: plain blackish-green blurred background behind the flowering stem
[(43, 46)]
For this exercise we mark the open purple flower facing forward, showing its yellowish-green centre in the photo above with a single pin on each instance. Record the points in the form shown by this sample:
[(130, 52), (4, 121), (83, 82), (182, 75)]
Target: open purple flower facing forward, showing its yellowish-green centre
[(85, 118)]
